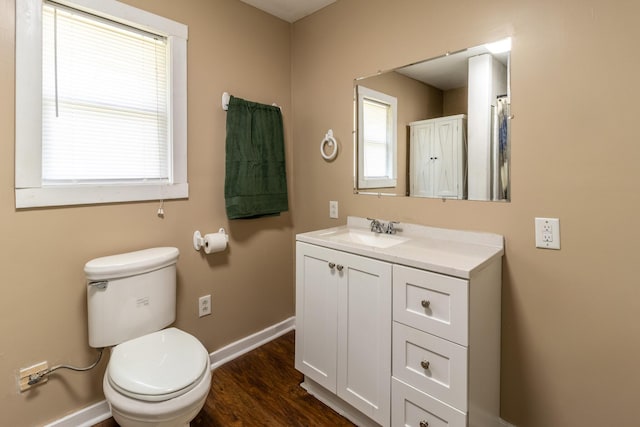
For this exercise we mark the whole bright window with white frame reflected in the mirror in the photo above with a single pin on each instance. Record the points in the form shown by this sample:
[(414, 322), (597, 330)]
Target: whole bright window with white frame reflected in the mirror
[(377, 138)]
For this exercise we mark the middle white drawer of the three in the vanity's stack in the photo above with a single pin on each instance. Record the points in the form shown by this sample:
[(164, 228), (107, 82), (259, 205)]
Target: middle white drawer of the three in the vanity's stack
[(436, 366)]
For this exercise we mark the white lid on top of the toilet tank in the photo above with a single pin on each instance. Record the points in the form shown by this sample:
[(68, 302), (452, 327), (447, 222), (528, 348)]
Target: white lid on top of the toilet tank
[(130, 263)]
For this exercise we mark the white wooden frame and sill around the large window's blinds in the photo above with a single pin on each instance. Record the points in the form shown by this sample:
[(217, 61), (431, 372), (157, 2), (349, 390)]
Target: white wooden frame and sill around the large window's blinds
[(30, 191)]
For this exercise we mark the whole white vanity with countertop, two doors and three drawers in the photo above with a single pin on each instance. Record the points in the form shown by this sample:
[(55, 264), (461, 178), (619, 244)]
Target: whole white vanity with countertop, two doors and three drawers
[(401, 330)]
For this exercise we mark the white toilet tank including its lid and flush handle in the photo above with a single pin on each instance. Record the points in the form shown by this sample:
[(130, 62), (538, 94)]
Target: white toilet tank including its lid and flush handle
[(130, 295)]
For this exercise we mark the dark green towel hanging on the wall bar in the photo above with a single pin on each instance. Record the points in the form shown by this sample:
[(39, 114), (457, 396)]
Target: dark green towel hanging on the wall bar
[(255, 181)]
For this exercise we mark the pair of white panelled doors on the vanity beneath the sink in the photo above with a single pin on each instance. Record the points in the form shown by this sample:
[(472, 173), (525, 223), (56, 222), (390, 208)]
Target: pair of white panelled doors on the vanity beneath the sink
[(343, 327)]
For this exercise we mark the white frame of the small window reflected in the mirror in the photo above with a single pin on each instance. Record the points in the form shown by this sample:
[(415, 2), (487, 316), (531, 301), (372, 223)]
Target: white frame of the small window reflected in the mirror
[(390, 179)]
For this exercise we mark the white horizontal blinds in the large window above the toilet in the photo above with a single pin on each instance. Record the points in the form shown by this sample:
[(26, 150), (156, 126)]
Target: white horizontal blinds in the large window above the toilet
[(104, 101)]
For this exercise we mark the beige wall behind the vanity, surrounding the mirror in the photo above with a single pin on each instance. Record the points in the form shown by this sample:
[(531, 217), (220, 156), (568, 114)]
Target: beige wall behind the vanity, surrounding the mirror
[(570, 318)]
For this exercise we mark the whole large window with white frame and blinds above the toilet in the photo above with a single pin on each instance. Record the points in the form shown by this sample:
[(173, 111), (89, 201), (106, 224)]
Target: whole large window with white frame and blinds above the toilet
[(100, 104)]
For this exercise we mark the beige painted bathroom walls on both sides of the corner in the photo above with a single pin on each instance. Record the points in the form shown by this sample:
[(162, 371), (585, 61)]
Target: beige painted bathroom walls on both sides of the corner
[(570, 329)]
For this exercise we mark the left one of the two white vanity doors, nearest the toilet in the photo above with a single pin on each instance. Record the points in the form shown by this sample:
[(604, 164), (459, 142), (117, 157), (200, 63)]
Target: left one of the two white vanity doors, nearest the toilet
[(316, 314)]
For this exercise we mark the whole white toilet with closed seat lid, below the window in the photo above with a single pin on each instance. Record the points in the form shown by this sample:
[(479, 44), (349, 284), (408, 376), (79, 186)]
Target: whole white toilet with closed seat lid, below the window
[(155, 377)]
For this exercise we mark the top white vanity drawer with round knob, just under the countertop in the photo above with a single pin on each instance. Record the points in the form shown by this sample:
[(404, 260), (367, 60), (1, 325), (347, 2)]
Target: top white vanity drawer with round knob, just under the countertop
[(431, 302)]
